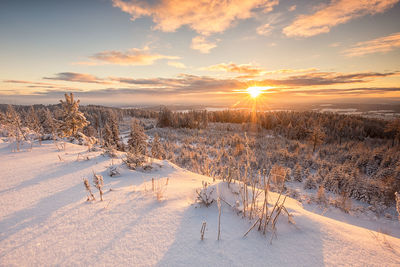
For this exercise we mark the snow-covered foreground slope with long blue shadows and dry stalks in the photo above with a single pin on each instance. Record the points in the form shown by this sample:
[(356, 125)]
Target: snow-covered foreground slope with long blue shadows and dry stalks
[(46, 220)]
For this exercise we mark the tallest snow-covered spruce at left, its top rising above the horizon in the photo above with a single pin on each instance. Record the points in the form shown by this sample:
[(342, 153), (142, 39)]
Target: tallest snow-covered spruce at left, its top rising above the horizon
[(72, 119)]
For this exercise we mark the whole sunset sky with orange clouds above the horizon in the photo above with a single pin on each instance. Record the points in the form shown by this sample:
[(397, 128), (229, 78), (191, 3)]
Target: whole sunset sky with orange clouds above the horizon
[(134, 52)]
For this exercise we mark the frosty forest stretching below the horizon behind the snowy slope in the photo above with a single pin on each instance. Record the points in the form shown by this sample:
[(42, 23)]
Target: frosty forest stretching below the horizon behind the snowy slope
[(348, 156)]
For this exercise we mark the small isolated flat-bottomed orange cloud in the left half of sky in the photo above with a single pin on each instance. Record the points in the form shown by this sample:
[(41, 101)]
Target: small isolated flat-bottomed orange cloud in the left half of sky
[(133, 57)]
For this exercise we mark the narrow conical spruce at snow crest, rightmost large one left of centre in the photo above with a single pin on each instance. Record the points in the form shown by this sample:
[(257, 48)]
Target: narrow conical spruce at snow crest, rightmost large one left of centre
[(137, 145)]
